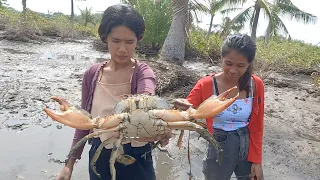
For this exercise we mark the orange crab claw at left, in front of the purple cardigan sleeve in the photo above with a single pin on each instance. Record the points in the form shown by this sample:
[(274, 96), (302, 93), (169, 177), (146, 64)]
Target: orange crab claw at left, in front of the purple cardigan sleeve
[(71, 116)]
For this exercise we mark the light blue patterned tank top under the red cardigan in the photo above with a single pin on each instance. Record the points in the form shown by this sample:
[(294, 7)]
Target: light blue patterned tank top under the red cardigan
[(237, 115)]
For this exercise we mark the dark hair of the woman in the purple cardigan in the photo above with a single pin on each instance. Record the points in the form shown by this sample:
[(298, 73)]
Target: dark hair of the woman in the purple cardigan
[(121, 14)]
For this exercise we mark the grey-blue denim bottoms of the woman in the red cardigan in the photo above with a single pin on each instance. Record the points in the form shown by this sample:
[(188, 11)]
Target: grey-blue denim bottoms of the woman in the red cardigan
[(235, 145)]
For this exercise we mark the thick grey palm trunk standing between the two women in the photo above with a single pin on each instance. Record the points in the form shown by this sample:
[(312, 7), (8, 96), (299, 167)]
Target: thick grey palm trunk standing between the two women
[(173, 48)]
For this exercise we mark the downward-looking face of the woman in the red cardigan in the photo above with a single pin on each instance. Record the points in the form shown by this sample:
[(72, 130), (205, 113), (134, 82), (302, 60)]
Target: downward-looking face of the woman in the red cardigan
[(234, 65)]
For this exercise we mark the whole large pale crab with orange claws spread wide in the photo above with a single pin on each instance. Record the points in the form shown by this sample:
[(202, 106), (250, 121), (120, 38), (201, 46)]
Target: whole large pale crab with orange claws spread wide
[(139, 116)]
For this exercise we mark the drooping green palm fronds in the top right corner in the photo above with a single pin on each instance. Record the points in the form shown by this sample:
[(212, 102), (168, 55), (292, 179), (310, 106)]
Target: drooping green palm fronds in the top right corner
[(273, 13)]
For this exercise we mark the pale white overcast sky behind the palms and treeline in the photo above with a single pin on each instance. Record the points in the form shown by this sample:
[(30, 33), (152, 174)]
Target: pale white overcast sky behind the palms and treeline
[(308, 33)]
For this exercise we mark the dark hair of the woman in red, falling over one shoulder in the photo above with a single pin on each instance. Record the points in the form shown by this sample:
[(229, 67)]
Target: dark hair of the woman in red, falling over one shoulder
[(247, 47)]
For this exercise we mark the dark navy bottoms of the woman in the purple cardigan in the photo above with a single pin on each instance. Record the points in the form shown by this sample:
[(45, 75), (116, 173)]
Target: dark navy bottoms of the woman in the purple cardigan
[(141, 169)]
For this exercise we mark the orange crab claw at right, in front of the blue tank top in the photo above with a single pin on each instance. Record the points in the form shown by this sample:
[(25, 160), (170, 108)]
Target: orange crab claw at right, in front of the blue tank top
[(214, 105)]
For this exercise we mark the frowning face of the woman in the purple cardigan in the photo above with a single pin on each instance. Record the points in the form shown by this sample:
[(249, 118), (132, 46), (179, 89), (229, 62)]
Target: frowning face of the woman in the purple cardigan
[(122, 43)]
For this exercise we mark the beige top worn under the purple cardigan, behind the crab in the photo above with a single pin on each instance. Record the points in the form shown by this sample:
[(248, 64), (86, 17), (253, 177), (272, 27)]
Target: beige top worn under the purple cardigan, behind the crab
[(105, 98)]
